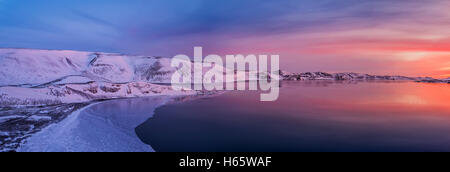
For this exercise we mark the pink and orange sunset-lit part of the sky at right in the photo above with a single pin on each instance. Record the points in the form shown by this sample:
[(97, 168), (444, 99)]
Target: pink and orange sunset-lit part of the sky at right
[(416, 45)]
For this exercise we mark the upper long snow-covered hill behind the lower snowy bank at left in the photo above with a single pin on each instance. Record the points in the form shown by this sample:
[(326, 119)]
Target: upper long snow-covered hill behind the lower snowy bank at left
[(36, 67)]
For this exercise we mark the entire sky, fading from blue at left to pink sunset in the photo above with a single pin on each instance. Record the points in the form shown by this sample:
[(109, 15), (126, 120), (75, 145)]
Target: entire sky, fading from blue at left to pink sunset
[(378, 37)]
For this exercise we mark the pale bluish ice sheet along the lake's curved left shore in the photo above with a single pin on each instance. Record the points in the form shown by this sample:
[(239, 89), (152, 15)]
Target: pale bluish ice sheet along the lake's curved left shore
[(101, 127)]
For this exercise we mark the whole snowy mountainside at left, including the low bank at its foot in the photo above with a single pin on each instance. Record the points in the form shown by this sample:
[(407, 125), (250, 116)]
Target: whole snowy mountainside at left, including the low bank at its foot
[(43, 77)]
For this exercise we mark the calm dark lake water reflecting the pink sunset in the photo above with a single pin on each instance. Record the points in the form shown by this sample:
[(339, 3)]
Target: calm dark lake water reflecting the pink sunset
[(308, 116)]
